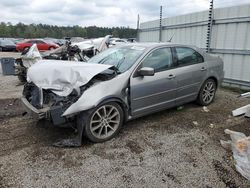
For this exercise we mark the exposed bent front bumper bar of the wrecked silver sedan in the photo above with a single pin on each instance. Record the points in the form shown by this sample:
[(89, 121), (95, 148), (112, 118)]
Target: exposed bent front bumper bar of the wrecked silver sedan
[(34, 112)]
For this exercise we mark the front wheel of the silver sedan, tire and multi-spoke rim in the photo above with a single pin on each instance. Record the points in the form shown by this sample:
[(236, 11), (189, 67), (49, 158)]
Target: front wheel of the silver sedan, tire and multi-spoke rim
[(104, 122)]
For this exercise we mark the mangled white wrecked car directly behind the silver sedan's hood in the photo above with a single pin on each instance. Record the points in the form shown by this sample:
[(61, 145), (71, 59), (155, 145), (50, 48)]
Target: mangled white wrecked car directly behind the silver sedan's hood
[(80, 51)]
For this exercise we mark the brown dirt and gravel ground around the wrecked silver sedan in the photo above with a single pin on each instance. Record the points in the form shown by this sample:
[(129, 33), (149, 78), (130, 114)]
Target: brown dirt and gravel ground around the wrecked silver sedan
[(165, 149)]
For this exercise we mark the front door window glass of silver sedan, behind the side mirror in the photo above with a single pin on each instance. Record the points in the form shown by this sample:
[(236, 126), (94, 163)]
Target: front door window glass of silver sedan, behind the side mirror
[(160, 59)]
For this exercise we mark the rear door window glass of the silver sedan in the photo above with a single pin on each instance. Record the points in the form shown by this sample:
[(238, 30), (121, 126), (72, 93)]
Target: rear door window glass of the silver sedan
[(188, 56)]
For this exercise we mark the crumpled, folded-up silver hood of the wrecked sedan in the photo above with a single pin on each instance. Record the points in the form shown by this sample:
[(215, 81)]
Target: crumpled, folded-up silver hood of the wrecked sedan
[(63, 76)]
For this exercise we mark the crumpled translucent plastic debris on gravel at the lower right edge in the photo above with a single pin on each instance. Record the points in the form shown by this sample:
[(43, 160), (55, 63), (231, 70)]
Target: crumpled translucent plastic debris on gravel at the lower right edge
[(240, 145)]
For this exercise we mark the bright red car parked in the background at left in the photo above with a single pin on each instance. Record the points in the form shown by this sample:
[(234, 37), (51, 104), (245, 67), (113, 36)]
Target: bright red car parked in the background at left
[(42, 45)]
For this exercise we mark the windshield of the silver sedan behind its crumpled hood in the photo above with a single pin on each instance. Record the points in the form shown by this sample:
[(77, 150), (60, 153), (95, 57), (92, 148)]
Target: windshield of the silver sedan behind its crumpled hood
[(122, 57)]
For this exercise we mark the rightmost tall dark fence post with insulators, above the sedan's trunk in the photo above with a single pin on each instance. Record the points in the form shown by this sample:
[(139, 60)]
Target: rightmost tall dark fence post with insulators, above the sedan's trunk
[(209, 26)]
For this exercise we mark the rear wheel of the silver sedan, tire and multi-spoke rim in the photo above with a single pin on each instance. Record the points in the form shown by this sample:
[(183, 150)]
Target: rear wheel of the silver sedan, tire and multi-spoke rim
[(207, 91)]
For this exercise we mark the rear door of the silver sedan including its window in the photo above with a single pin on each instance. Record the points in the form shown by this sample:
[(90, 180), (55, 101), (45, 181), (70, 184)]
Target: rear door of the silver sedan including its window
[(190, 73)]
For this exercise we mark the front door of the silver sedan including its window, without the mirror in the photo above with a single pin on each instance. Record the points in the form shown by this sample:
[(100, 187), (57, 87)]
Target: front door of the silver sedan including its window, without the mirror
[(152, 93)]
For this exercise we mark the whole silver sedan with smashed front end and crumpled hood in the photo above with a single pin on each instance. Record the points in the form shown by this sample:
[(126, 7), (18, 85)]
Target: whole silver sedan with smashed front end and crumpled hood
[(120, 84)]
